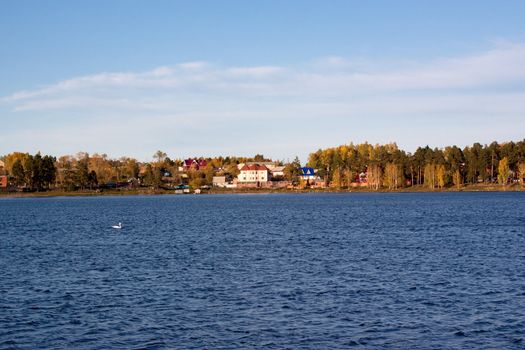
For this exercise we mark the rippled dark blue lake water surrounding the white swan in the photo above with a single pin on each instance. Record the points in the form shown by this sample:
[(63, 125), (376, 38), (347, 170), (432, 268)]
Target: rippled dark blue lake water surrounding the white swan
[(317, 271)]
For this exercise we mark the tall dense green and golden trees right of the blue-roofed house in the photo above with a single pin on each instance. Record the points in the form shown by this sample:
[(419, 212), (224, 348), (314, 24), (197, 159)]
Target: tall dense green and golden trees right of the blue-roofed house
[(388, 166)]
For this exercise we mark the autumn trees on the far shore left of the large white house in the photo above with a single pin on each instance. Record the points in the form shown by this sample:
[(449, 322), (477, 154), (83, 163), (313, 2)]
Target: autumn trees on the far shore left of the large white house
[(84, 171)]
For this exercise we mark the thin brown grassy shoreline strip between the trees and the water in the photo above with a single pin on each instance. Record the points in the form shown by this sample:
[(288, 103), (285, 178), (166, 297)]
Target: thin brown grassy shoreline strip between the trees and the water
[(147, 192)]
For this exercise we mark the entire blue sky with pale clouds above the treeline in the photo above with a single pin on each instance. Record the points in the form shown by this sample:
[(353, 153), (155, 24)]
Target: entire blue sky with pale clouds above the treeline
[(283, 78)]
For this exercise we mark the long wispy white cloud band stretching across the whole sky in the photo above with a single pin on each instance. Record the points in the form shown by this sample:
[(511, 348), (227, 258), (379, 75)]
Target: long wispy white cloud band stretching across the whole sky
[(358, 95)]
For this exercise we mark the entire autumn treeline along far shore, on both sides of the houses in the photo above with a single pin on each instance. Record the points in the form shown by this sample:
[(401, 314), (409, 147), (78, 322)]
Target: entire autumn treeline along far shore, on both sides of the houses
[(376, 166)]
